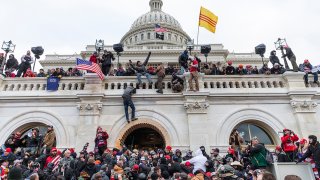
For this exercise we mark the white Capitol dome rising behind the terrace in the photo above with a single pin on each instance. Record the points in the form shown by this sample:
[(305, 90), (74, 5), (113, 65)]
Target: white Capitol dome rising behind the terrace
[(142, 31)]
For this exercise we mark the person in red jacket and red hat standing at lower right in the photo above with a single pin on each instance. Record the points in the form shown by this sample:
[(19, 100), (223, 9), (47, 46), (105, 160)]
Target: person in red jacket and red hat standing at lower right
[(288, 144)]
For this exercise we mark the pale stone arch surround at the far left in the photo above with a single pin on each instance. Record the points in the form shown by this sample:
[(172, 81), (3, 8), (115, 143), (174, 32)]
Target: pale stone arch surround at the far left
[(27, 120)]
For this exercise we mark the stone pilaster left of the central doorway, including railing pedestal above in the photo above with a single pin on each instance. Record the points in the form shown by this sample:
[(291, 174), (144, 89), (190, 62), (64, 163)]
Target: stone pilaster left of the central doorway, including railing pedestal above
[(90, 107)]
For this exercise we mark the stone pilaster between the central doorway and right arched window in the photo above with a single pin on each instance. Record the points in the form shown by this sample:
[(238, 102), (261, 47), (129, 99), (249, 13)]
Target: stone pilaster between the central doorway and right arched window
[(196, 106)]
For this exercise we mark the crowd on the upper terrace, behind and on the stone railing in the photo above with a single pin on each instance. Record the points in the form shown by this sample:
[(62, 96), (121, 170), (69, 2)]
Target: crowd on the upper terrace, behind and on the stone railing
[(185, 60)]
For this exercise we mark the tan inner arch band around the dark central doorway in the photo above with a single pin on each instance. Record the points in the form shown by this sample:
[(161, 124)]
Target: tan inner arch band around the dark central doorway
[(141, 123)]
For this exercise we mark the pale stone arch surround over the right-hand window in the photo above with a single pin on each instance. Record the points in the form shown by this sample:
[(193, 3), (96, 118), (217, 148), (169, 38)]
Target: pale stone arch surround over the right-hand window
[(265, 120)]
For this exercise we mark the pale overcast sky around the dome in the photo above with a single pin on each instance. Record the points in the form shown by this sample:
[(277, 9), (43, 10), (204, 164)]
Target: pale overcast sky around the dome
[(67, 26)]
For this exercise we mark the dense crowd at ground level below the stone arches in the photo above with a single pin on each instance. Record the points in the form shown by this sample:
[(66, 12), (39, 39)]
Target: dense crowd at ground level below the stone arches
[(34, 156)]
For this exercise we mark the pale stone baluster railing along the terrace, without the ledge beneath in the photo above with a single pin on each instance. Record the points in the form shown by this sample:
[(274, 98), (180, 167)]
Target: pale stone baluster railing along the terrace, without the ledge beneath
[(212, 84)]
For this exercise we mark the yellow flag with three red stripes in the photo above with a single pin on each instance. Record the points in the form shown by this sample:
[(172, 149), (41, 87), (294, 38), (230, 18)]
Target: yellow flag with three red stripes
[(208, 20)]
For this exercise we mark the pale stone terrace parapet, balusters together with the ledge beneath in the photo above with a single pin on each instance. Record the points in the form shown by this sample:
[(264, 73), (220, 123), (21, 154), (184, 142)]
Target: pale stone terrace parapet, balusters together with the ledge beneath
[(214, 85)]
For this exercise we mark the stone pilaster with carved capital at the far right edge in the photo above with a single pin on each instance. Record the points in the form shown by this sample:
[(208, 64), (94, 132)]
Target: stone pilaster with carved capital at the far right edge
[(304, 109)]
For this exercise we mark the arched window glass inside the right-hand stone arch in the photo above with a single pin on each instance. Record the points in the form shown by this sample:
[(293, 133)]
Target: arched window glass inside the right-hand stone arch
[(250, 130)]
